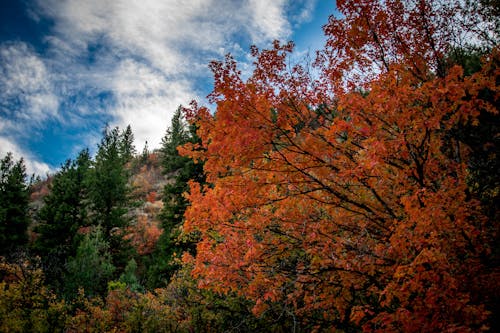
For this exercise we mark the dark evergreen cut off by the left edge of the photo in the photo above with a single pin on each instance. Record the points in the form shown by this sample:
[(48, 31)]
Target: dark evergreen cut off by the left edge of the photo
[(14, 200)]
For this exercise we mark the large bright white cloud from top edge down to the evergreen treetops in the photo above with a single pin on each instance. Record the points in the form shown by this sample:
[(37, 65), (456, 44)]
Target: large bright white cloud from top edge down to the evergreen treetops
[(154, 50)]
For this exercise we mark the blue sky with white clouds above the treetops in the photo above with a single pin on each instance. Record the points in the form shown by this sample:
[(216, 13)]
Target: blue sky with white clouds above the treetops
[(69, 67)]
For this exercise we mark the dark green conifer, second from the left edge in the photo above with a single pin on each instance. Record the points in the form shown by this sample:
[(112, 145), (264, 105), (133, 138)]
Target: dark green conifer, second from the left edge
[(64, 211)]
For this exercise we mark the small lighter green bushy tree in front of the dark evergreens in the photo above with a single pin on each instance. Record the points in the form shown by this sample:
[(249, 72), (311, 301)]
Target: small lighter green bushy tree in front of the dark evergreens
[(91, 268)]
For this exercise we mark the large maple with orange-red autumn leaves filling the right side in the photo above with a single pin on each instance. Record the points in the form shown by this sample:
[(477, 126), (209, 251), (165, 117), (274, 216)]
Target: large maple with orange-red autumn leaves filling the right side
[(340, 198)]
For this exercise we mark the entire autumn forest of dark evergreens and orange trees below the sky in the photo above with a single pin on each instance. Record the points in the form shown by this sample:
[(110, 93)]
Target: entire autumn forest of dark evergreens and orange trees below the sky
[(354, 191)]
